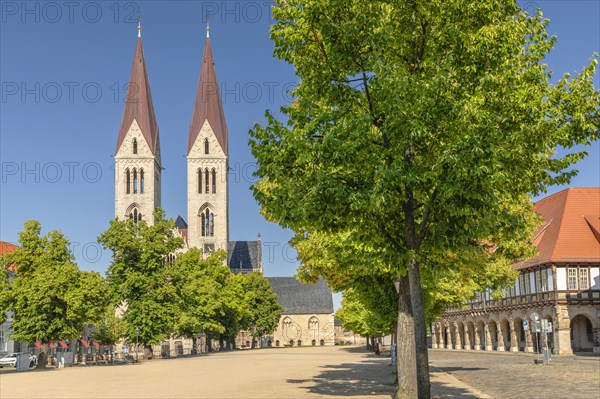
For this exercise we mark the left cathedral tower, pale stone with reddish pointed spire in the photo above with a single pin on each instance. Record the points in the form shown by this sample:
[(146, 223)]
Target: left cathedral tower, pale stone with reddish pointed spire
[(137, 158)]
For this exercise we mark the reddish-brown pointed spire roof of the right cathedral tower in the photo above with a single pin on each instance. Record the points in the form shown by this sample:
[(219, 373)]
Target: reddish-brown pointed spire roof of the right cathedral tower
[(208, 103)]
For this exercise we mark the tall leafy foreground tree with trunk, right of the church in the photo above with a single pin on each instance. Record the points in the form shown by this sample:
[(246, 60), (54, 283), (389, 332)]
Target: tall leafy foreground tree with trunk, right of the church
[(422, 127)]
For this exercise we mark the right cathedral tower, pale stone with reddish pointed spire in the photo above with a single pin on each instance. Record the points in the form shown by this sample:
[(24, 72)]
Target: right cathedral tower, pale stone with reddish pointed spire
[(207, 164)]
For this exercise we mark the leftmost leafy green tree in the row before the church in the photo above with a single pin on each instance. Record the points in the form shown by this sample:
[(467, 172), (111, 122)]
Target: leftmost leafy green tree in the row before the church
[(50, 297)]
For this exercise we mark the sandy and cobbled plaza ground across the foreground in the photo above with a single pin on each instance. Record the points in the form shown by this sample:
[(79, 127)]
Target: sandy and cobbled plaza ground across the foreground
[(310, 372)]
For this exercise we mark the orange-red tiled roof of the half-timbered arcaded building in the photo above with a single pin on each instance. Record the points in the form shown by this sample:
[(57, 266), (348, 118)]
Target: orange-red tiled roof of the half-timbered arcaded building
[(571, 228)]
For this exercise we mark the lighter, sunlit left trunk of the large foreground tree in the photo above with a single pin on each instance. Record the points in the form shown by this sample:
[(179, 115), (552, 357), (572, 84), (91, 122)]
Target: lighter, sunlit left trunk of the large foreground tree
[(405, 342)]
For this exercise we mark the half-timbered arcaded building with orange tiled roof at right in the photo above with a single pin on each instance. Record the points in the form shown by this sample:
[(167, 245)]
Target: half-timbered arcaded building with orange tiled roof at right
[(561, 284)]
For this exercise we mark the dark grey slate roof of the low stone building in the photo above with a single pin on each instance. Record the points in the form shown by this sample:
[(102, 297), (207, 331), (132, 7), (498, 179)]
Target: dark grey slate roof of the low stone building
[(298, 298)]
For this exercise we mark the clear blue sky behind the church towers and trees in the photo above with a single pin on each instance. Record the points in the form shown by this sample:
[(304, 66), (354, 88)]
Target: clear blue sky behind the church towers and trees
[(64, 69)]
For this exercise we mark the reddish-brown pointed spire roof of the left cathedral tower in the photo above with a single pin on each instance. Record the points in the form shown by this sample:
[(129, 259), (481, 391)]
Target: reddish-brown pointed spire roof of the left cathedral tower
[(138, 104)]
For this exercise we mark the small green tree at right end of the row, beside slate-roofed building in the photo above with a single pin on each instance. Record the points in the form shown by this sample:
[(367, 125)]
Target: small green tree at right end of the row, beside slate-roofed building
[(265, 311)]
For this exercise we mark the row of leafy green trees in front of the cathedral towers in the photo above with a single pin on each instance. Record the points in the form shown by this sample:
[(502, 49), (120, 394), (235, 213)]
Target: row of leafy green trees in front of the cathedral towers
[(148, 294)]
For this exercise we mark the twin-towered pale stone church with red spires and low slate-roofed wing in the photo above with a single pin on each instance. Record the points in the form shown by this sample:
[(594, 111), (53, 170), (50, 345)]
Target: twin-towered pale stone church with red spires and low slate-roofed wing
[(308, 316)]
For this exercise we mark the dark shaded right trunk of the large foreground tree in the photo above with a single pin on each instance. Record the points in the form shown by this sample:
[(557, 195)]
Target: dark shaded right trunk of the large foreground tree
[(418, 311)]
